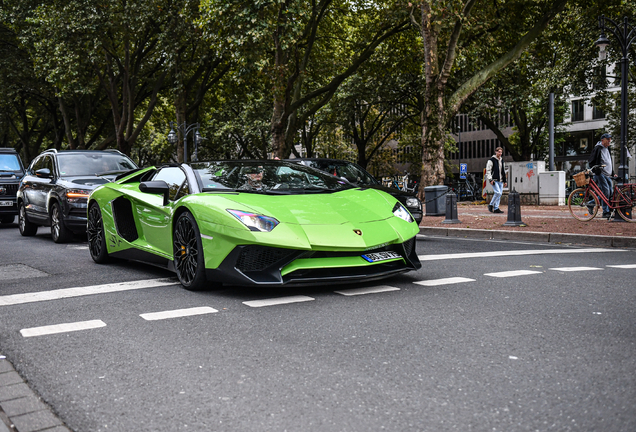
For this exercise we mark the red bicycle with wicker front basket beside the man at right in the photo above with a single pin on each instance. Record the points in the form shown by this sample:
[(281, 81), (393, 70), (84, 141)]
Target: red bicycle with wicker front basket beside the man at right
[(584, 202)]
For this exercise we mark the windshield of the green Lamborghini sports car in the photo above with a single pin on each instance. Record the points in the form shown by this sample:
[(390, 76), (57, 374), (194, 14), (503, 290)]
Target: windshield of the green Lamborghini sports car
[(272, 176)]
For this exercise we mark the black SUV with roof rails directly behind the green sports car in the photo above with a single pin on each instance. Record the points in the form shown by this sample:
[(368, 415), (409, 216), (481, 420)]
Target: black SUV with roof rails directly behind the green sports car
[(54, 192)]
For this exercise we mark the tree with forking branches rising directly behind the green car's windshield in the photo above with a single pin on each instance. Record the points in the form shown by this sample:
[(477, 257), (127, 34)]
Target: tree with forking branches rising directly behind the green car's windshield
[(298, 47)]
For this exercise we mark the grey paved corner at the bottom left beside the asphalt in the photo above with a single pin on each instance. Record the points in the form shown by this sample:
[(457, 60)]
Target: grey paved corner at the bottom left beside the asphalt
[(21, 410)]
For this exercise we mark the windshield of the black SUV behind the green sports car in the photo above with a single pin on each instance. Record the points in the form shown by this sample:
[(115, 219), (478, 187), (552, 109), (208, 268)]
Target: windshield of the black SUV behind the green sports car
[(77, 164)]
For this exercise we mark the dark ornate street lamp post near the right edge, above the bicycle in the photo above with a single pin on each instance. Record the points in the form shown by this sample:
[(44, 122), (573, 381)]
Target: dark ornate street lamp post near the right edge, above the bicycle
[(625, 34)]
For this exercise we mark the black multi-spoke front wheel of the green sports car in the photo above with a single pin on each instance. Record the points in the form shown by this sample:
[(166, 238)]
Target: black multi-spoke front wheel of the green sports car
[(188, 253)]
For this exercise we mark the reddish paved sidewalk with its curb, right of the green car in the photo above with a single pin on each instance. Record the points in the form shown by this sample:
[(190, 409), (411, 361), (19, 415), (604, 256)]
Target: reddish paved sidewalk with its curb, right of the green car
[(548, 224)]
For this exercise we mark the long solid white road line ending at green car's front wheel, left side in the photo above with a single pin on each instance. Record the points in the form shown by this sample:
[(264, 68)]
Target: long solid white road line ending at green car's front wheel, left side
[(82, 291)]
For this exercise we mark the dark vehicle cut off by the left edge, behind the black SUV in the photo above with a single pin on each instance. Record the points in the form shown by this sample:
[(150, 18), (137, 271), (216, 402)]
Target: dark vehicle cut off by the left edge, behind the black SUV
[(11, 172)]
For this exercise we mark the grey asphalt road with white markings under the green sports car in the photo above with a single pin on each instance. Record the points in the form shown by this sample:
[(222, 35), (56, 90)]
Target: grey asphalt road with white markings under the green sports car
[(535, 350)]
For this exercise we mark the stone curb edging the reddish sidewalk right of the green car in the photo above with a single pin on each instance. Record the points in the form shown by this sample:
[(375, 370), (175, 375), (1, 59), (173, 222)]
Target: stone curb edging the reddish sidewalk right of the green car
[(585, 239)]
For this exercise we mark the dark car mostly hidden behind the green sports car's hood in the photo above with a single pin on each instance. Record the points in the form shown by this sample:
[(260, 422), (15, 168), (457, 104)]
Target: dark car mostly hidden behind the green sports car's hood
[(357, 175)]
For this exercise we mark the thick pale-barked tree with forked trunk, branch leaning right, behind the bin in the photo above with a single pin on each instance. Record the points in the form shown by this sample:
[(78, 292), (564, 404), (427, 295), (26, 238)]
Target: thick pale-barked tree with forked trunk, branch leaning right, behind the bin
[(494, 36)]
